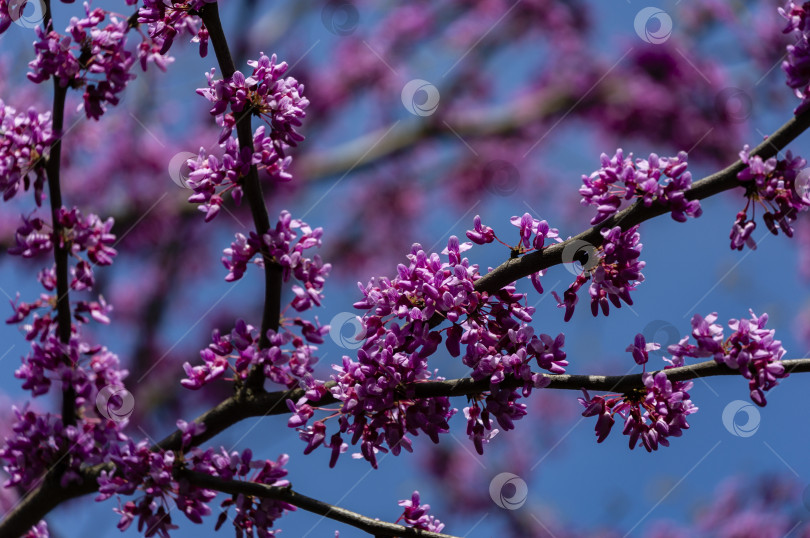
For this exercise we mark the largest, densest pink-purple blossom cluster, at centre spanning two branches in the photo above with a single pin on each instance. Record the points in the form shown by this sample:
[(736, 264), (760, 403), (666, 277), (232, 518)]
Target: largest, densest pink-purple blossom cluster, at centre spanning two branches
[(379, 406)]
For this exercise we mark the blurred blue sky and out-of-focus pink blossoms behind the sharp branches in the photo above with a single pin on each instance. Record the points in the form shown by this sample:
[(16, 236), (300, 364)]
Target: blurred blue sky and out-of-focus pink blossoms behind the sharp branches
[(423, 115)]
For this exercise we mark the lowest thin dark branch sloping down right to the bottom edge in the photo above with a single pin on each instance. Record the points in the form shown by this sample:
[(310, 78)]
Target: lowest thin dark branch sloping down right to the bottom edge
[(288, 495)]
